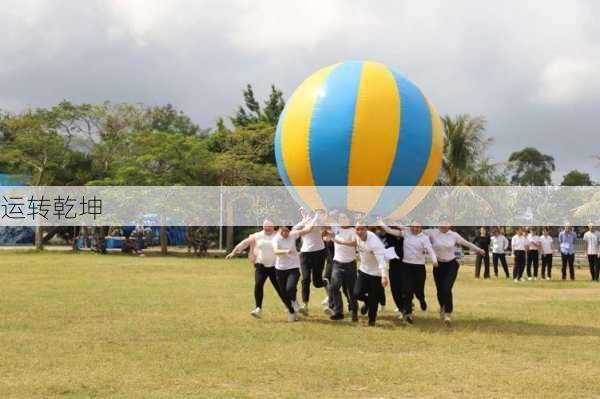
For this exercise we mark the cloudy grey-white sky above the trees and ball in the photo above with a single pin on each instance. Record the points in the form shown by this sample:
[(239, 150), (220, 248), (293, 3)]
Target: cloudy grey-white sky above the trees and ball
[(532, 69)]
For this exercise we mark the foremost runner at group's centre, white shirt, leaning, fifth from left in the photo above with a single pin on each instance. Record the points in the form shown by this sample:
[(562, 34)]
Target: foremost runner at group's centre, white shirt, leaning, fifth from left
[(373, 271)]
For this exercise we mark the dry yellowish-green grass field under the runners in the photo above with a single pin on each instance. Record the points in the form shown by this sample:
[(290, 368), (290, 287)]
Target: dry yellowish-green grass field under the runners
[(83, 325)]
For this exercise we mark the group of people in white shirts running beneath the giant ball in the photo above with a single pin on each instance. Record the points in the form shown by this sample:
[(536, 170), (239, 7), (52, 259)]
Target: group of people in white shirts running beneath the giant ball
[(327, 258)]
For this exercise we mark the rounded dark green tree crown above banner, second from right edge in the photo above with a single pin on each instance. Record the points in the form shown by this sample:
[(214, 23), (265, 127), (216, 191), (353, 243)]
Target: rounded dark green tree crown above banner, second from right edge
[(530, 167)]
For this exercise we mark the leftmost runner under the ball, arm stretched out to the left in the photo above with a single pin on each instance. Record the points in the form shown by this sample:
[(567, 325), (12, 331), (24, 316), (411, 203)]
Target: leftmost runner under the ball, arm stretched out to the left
[(260, 254)]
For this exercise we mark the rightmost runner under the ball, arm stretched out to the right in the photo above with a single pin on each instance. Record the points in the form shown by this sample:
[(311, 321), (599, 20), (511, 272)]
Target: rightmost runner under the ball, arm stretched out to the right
[(444, 242)]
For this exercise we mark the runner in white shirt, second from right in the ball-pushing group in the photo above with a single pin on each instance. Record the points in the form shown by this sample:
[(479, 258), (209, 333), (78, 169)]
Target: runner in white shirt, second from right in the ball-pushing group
[(414, 247)]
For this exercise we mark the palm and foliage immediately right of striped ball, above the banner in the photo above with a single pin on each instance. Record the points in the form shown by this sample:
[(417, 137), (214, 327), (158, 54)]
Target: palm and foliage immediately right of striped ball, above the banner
[(465, 161)]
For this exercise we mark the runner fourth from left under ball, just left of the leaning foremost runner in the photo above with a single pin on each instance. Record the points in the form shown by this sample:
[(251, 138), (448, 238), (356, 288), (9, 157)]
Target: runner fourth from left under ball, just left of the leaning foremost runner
[(343, 274)]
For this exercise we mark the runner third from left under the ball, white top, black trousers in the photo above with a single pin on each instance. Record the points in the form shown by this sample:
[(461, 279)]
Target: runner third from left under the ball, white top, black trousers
[(312, 257)]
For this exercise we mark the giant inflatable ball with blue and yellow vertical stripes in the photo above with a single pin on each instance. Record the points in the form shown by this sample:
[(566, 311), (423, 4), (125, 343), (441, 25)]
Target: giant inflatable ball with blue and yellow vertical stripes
[(356, 124)]
